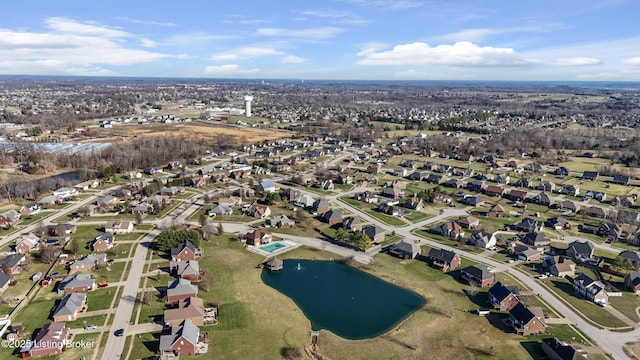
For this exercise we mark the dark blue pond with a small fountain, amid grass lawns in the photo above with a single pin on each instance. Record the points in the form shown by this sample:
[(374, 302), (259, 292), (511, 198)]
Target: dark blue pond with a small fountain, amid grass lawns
[(344, 300)]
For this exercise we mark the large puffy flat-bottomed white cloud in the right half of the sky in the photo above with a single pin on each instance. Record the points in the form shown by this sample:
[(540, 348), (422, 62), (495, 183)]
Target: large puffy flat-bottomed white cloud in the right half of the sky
[(462, 54)]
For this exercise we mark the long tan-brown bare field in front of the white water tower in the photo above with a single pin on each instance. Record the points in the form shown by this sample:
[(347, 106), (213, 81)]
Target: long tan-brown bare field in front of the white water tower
[(197, 128)]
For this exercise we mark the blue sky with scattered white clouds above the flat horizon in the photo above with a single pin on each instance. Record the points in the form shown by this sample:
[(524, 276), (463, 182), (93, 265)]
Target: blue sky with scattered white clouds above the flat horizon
[(330, 39)]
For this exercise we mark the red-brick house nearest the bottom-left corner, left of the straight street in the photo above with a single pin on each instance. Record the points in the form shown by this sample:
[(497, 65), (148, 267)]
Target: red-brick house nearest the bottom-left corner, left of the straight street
[(51, 340)]
